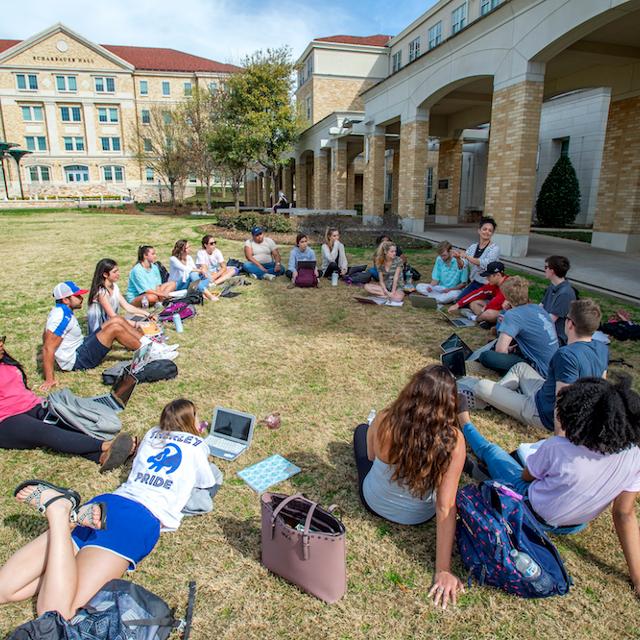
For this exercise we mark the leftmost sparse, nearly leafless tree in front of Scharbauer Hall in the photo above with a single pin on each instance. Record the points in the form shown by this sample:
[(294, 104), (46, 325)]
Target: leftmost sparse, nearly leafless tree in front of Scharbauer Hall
[(161, 145)]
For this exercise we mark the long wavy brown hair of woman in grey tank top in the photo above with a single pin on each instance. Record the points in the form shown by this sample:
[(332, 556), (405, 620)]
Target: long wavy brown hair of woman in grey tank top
[(422, 431)]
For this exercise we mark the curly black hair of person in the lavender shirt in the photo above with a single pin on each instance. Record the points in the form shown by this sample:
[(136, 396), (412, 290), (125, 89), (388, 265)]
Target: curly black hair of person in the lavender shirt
[(601, 415)]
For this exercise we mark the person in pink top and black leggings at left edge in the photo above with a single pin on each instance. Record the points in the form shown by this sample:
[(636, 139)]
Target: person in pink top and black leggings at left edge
[(22, 425)]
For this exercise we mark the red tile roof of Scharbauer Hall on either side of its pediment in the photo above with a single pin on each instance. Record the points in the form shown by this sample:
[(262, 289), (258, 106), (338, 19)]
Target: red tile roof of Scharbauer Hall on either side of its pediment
[(156, 59)]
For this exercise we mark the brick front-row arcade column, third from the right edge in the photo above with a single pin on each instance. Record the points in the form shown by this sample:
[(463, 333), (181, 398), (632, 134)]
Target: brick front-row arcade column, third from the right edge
[(412, 196)]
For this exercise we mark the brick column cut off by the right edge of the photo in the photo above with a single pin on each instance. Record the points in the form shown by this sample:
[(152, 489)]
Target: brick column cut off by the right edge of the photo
[(617, 221)]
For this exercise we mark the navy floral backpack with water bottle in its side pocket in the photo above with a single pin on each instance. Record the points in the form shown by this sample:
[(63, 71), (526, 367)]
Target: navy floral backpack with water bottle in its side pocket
[(503, 545)]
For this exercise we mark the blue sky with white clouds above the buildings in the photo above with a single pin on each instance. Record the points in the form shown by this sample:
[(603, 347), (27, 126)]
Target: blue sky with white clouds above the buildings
[(223, 30)]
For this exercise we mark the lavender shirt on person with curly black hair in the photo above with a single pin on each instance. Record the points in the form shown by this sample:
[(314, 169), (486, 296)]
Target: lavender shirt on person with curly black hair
[(574, 484)]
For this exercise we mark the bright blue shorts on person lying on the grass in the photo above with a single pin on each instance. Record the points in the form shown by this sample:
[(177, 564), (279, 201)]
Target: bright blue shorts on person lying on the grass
[(132, 531)]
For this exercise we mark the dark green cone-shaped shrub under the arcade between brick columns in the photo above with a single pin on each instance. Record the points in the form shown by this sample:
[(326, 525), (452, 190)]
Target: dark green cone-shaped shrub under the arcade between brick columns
[(558, 202)]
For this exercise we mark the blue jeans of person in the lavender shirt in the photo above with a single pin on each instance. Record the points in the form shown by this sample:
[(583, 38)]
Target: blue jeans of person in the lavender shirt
[(504, 469)]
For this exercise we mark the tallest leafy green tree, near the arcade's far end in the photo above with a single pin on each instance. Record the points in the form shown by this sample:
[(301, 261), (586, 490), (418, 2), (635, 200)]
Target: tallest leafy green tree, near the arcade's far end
[(264, 91)]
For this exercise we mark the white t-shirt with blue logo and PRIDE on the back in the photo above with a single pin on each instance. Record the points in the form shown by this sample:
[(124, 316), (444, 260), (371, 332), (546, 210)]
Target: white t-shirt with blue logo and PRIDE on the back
[(167, 467)]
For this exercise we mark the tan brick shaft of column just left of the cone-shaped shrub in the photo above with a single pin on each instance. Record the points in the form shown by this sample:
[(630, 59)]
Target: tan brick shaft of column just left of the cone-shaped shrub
[(513, 146)]
